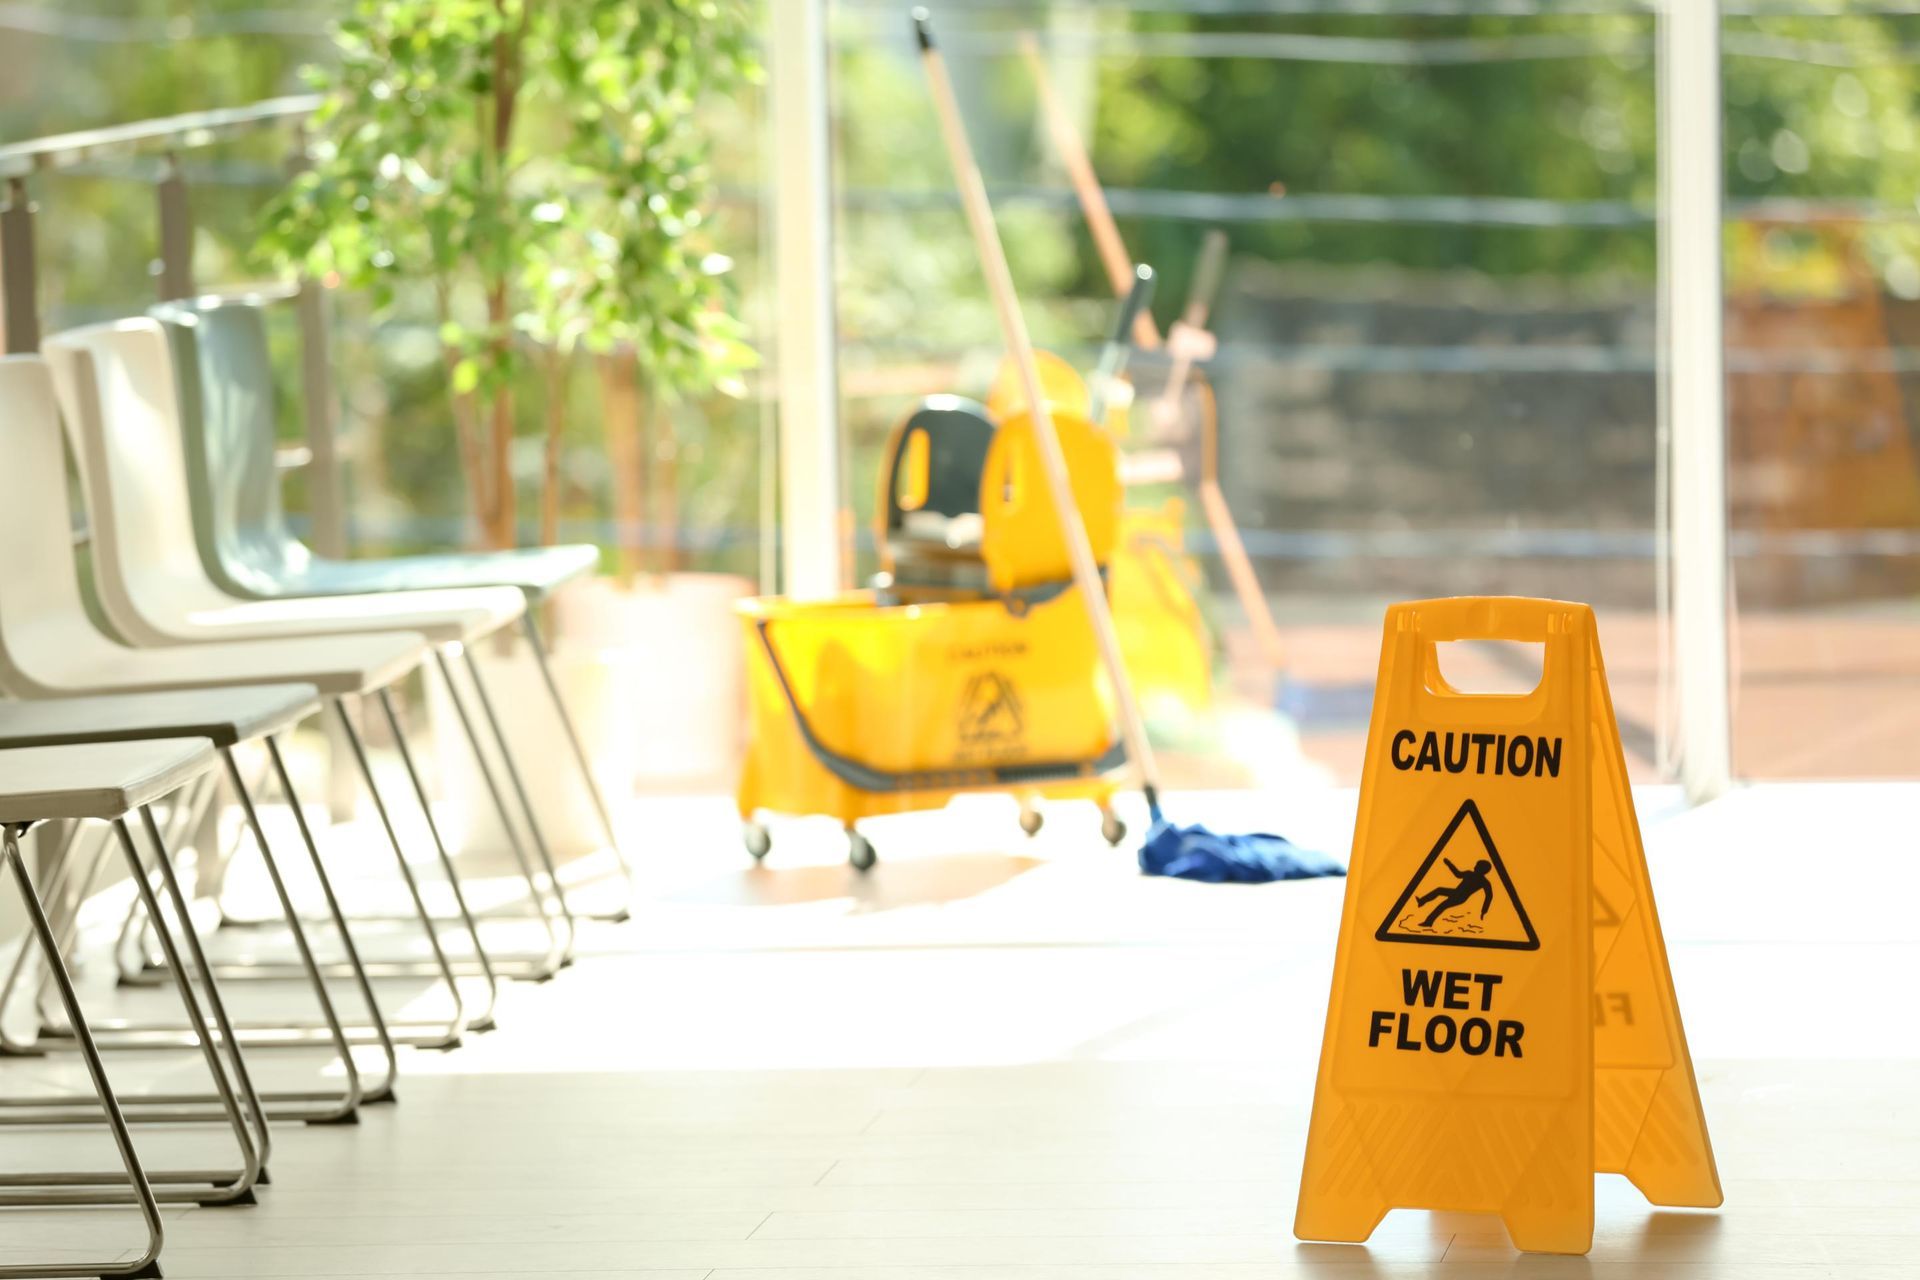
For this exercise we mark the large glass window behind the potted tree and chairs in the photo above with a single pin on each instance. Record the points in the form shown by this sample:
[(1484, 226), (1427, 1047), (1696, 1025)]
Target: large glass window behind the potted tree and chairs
[(692, 494)]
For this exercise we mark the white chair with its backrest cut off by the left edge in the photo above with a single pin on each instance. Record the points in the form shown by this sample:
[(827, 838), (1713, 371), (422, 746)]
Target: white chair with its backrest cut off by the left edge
[(49, 646)]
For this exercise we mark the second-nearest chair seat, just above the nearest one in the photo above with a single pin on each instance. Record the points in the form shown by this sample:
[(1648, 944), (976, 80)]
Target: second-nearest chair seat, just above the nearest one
[(224, 717)]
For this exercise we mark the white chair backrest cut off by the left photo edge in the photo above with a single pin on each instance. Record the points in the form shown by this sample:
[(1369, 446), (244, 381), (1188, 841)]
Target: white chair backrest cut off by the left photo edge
[(43, 611)]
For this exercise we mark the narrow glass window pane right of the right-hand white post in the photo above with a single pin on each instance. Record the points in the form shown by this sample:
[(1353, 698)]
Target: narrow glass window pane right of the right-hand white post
[(1823, 321)]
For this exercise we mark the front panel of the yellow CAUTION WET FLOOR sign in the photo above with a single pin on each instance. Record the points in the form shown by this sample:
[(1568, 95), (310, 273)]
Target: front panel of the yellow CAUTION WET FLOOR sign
[(1458, 1060)]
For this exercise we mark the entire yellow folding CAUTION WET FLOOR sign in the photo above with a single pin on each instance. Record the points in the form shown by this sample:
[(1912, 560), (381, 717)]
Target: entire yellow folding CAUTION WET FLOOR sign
[(1502, 1018)]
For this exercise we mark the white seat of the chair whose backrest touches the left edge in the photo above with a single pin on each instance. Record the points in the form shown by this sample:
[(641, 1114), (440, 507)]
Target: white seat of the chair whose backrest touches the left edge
[(335, 665)]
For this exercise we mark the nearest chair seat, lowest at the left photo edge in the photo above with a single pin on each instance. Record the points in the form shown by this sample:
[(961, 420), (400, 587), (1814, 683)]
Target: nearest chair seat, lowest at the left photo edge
[(99, 780)]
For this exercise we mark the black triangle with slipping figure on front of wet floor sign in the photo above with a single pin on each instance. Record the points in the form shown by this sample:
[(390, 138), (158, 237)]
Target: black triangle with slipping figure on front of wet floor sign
[(1470, 901)]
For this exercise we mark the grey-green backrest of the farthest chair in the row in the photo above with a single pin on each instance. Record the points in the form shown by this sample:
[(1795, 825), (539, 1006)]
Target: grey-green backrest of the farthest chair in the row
[(224, 375)]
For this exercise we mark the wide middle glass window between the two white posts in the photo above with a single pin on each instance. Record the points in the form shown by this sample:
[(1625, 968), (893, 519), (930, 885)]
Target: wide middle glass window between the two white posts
[(1437, 321)]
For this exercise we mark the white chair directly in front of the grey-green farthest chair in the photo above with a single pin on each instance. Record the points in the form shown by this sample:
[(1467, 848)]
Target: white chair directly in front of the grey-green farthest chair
[(118, 398)]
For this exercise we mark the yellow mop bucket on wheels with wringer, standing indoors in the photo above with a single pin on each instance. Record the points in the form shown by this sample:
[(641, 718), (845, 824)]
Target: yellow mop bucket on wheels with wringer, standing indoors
[(865, 707)]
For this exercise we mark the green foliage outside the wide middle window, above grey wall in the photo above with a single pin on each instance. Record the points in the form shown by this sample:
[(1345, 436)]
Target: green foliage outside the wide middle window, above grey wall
[(1564, 130)]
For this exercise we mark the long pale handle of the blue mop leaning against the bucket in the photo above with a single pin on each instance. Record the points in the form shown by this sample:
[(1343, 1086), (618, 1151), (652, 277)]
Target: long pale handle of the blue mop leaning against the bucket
[(1053, 460)]
